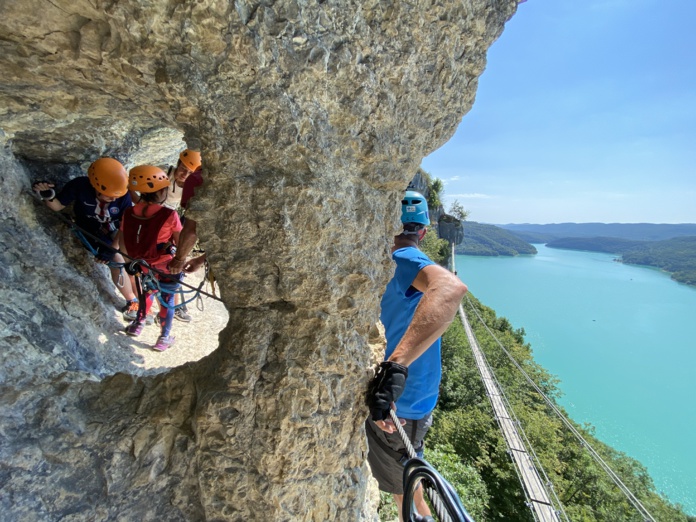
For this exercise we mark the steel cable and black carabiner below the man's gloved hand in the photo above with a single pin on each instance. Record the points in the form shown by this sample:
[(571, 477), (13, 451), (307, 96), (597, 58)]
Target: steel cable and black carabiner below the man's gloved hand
[(441, 494)]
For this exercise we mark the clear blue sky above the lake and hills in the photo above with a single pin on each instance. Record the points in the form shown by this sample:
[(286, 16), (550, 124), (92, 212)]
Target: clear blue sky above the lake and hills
[(586, 112)]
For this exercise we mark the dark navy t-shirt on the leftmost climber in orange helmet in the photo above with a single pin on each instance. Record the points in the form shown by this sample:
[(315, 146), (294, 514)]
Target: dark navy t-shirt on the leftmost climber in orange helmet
[(96, 217)]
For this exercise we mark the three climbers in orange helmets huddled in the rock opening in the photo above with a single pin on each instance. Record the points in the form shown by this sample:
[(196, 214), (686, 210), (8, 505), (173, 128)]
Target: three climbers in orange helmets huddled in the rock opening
[(124, 216)]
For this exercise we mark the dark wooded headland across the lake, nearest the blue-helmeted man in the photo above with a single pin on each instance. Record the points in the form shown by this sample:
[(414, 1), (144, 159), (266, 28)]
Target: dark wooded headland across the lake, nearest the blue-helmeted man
[(489, 240)]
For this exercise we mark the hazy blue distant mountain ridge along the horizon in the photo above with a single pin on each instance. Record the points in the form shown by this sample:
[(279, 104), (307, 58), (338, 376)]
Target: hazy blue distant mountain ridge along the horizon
[(635, 231)]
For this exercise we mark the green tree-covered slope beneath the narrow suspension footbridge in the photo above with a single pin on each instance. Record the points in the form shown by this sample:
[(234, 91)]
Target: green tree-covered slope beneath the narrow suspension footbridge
[(466, 445)]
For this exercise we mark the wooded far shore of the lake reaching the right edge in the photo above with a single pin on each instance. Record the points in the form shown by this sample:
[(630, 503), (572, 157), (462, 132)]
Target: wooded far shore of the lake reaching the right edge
[(676, 256)]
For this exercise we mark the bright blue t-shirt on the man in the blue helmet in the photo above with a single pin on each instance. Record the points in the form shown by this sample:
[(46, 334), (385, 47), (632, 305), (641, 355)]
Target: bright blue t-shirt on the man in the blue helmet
[(398, 305)]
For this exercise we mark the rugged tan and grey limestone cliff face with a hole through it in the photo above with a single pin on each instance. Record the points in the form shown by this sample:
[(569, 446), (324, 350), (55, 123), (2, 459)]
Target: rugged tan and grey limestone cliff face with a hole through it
[(311, 117)]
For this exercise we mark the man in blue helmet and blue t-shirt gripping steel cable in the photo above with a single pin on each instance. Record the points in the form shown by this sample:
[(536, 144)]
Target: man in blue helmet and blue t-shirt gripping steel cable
[(418, 305)]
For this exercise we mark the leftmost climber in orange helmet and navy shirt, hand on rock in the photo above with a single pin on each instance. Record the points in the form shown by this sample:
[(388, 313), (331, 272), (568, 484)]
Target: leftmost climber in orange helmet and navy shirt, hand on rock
[(99, 201)]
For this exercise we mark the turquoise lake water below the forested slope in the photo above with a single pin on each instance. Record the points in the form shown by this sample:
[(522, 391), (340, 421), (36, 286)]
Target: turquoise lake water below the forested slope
[(622, 340)]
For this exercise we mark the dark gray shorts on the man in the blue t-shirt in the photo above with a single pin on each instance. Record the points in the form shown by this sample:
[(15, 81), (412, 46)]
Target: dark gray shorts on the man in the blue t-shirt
[(387, 453)]
